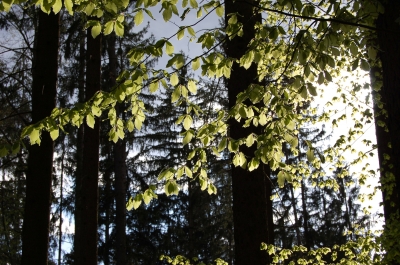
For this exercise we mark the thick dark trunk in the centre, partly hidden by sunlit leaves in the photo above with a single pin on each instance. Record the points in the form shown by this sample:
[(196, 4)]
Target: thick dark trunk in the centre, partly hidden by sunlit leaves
[(252, 206)]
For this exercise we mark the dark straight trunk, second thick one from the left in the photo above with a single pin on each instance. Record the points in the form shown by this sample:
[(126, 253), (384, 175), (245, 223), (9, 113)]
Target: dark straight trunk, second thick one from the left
[(87, 252)]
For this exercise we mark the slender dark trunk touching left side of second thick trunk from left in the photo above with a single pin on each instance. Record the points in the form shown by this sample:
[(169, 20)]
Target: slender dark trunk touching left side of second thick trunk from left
[(79, 145)]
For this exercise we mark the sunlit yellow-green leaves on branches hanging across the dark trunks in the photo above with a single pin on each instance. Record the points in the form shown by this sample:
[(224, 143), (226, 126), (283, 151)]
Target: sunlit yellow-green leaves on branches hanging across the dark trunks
[(303, 44)]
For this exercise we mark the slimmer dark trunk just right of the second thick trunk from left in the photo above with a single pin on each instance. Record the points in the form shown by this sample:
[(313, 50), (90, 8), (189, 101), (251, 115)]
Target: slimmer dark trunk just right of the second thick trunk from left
[(120, 169)]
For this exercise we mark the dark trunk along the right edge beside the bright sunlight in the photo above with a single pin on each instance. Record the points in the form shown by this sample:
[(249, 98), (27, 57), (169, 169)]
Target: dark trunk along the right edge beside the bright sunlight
[(389, 43)]
